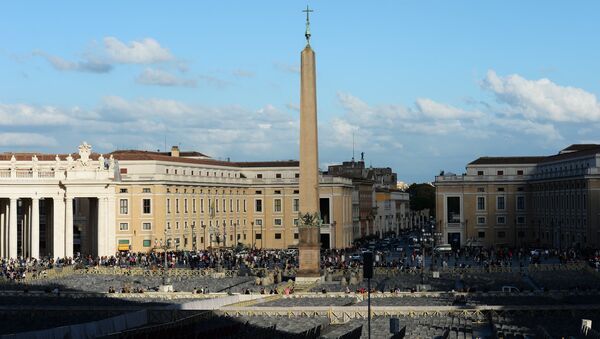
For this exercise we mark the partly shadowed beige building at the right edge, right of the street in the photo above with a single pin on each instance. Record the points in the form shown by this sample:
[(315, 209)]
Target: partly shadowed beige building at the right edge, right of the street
[(548, 201)]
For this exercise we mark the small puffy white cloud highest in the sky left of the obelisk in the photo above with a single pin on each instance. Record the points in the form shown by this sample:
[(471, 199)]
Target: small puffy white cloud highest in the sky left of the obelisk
[(146, 51)]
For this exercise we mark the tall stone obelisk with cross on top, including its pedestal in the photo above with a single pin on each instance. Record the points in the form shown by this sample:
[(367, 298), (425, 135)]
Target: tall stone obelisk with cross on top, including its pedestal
[(309, 218)]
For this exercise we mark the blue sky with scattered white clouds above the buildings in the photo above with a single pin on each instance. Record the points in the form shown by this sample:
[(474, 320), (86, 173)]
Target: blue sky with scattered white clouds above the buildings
[(422, 86)]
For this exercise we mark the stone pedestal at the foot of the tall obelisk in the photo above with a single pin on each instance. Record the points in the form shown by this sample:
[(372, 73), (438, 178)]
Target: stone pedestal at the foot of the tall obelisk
[(309, 255)]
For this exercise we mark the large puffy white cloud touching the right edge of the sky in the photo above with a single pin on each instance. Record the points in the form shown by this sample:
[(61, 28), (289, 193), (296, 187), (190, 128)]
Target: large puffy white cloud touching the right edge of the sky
[(542, 99)]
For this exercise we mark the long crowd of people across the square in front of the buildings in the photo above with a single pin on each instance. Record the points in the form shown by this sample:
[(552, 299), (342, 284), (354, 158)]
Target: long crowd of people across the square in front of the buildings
[(242, 259)]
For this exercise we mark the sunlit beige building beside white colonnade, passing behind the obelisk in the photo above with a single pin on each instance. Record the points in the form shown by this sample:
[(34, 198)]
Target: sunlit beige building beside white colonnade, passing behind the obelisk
[(196, 202)]
